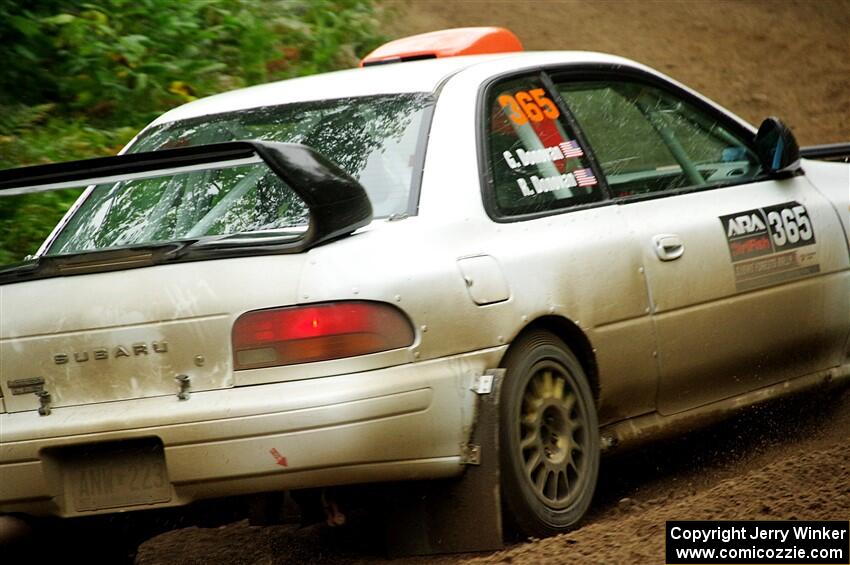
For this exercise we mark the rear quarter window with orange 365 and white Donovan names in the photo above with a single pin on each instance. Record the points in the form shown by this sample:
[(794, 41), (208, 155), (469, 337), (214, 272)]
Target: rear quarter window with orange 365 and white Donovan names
[(536, 163)]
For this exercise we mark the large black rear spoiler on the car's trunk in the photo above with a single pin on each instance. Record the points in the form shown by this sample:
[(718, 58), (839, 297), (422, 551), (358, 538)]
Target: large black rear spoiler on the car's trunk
[(338, 204)]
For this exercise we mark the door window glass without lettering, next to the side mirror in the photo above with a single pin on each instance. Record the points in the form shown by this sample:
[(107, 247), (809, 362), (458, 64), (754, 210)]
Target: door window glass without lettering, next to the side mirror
[(647, 140)]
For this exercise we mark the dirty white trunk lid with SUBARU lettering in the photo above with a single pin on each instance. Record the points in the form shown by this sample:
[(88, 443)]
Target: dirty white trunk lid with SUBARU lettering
[(130, 334)]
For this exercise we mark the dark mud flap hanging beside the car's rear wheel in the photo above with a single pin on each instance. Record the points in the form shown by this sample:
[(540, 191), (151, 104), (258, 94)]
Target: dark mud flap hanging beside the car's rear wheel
[(457, 515)]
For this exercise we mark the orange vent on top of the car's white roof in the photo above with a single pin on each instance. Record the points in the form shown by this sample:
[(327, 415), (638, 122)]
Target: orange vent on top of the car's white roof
[(445, 43)]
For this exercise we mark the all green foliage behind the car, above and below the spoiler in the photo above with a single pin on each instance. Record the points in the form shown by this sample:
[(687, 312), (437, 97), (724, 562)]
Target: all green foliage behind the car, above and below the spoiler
[(78, 79)]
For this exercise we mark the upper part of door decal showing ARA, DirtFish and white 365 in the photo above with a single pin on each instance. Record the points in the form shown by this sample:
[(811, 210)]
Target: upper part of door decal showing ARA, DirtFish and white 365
[(772, 229)]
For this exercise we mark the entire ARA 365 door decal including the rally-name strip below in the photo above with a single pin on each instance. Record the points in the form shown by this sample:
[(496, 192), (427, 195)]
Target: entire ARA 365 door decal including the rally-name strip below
[(763, 244)]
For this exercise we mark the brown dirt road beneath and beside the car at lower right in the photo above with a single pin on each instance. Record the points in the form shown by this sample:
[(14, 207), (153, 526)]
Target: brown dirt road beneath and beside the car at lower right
[(773, 473)]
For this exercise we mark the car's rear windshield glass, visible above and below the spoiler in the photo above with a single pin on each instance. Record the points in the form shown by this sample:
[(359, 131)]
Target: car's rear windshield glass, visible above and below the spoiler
[(377, 140)]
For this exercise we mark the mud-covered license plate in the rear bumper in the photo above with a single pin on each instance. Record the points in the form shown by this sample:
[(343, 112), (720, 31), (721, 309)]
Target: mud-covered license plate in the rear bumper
[(116, 477)]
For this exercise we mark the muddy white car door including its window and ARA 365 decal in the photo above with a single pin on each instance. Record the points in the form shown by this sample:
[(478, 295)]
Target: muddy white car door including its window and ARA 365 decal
[(748, 275)]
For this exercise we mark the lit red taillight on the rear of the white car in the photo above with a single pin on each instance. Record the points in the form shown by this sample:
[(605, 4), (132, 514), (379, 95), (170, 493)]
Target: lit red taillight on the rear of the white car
[(301, 334)]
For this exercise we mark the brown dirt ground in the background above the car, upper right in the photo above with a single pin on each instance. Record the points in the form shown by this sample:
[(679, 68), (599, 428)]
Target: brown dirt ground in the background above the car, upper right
[(785, 58)]
